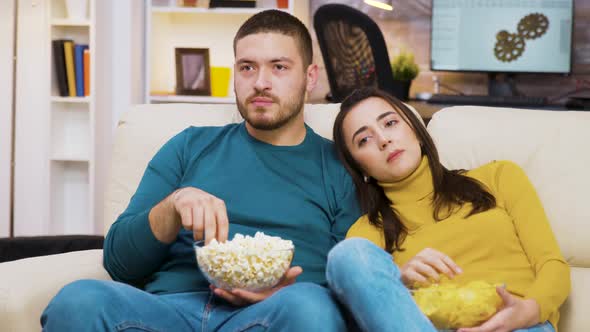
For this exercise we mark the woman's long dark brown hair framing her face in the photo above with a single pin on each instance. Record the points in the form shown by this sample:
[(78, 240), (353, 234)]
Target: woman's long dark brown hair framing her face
[(452, 189)]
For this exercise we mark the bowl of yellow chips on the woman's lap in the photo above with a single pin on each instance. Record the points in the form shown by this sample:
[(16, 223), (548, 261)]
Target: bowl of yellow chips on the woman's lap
[(451, 306)]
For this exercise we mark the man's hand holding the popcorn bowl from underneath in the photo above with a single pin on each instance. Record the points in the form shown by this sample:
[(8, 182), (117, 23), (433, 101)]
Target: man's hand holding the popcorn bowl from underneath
[(240, 297)]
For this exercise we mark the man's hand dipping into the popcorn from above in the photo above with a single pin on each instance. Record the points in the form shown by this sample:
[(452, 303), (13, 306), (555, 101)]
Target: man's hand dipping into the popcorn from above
[(202, 213)]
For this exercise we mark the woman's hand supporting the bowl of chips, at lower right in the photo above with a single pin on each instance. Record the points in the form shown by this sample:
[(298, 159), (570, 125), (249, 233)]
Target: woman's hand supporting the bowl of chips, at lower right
[(516, 314)]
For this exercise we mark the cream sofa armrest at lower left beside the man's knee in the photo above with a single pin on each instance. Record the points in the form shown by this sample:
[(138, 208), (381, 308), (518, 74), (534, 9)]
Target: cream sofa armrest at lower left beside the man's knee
[(27, 285)]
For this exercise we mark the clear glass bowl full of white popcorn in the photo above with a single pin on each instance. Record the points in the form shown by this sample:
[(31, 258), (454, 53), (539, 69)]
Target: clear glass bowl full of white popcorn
[(254, 263)]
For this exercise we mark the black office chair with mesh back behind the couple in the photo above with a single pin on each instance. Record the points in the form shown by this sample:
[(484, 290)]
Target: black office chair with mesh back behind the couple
[(354, 51)]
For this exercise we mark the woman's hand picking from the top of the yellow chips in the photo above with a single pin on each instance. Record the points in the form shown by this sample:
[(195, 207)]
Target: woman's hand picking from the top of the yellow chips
[(427, 265)]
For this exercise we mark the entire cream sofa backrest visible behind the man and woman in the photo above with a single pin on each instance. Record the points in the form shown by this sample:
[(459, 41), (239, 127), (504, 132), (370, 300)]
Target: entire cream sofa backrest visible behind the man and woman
[(552, 147)]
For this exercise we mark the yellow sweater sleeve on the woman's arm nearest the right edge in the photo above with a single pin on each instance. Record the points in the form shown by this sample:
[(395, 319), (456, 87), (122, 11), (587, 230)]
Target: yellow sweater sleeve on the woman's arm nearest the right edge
[(552, 283)]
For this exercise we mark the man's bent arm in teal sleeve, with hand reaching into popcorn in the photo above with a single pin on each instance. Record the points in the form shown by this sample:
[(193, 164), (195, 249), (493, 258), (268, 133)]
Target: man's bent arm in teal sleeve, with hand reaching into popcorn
[(137, 244)]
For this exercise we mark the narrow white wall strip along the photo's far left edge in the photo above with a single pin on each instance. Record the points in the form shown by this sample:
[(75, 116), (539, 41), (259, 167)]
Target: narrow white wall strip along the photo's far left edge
[(6, 75)]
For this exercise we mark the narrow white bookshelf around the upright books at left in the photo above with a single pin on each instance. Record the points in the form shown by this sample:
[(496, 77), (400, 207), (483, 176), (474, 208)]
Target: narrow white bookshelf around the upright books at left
[(72, 132)]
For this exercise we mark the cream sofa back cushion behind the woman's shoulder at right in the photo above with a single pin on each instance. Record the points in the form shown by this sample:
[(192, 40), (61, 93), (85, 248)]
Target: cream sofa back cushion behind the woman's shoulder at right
[(551, 146)]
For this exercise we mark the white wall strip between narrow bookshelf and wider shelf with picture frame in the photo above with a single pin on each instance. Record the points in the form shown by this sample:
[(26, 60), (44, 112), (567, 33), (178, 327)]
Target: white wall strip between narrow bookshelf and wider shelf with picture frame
[(119, 80)]
